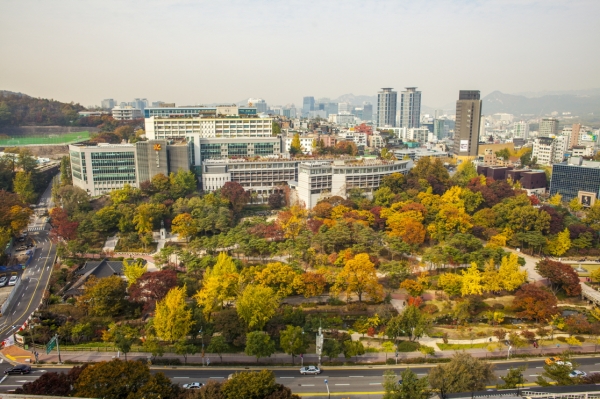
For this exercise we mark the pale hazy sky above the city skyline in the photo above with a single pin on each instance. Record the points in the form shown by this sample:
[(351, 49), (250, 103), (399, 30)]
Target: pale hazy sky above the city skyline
[(192, 52)]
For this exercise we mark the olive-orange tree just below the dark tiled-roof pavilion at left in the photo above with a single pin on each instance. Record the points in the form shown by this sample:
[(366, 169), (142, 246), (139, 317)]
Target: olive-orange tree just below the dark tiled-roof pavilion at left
[(104, 296)]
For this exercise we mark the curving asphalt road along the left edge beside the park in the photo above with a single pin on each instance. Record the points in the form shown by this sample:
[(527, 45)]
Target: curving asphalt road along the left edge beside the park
[(35, 278)]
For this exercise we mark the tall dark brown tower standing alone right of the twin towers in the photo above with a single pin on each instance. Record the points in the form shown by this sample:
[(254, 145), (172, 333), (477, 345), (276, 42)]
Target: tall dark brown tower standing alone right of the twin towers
[(468, 119)]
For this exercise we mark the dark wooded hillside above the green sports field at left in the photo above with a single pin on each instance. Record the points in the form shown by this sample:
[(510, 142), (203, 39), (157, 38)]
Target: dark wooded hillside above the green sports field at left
[(17, 109)]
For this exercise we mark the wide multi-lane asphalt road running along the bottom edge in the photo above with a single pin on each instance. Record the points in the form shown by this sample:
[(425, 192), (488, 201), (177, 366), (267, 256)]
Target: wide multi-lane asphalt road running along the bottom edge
[(353, 382)]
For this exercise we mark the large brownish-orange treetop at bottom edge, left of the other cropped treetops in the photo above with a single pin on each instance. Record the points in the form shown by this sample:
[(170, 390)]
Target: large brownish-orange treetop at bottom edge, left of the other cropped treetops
[(123, 380)]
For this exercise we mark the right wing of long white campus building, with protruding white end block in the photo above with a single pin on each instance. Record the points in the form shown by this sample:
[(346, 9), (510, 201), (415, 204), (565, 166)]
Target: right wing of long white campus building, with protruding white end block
[(321, 179)]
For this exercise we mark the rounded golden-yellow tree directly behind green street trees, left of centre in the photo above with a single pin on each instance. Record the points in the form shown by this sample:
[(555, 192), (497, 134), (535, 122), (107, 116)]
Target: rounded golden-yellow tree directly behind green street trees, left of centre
[(257, 305)]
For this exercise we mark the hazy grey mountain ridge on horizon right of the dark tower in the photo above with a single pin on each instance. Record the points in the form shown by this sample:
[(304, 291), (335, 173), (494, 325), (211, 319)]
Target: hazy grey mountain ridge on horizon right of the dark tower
[(578, 105)]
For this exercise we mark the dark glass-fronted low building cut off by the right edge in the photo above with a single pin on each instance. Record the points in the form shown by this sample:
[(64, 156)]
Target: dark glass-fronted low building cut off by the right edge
[(576, 178)]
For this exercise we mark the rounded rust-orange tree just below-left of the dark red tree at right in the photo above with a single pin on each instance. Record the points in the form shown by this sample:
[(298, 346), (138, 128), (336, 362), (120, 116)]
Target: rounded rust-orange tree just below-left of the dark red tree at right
[(535, 303)]
